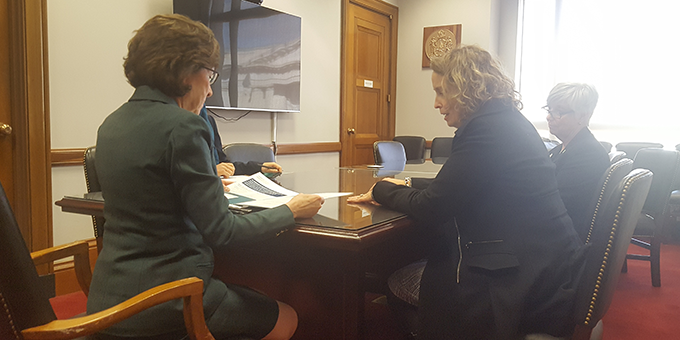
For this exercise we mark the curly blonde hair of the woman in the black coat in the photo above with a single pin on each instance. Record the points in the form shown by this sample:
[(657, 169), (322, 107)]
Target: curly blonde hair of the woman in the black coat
[(472, 77)]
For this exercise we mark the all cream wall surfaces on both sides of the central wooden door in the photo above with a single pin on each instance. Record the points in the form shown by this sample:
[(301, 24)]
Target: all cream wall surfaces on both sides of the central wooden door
[(87, 40)]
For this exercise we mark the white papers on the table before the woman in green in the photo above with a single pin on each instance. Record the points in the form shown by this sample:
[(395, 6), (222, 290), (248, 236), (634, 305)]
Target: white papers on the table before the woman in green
[(259, 191)]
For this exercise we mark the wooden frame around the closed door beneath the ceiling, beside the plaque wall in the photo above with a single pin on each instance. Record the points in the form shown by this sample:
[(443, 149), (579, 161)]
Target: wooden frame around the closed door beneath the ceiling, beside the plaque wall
[(392, 12)]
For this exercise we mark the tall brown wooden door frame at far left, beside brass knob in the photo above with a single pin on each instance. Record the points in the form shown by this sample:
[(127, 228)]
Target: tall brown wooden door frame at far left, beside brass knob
[(29, 100)]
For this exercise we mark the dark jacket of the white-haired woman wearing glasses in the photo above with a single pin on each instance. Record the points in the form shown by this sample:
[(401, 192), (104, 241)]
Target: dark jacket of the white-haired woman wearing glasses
[(579, 169)]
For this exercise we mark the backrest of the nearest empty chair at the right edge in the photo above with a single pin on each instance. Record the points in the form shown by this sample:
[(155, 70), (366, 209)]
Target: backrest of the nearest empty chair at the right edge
[(664, 164)]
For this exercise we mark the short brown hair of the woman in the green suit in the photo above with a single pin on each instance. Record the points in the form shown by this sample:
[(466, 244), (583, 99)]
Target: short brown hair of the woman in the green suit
[(166, 50)]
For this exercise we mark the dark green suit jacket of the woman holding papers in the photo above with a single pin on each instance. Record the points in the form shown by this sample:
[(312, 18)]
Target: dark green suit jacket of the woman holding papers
[(165, 211)]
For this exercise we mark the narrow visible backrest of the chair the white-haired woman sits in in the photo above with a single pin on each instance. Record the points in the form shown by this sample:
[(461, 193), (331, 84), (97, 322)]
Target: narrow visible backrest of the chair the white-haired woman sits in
[(608, 183)]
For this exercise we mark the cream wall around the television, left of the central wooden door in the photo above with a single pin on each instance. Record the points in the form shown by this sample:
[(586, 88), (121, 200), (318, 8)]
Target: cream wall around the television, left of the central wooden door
[(87, 40)]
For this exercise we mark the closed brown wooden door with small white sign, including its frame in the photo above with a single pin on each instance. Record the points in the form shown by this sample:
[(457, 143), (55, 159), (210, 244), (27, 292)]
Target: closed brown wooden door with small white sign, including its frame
[(368, 78)]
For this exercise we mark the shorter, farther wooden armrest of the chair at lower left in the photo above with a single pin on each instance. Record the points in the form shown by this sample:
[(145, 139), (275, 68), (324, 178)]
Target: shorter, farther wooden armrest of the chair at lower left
[(80, 250)]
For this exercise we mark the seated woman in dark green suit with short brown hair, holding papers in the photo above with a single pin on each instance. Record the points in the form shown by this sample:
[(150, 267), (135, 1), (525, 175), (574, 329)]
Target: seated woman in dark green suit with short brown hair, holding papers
[(165, 207)]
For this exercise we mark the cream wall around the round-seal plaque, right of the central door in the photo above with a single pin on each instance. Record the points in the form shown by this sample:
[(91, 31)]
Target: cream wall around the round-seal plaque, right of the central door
[(484, 23)]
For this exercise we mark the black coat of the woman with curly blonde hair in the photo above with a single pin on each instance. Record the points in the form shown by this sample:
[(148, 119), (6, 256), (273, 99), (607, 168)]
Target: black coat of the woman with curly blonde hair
[(501, 239)]
